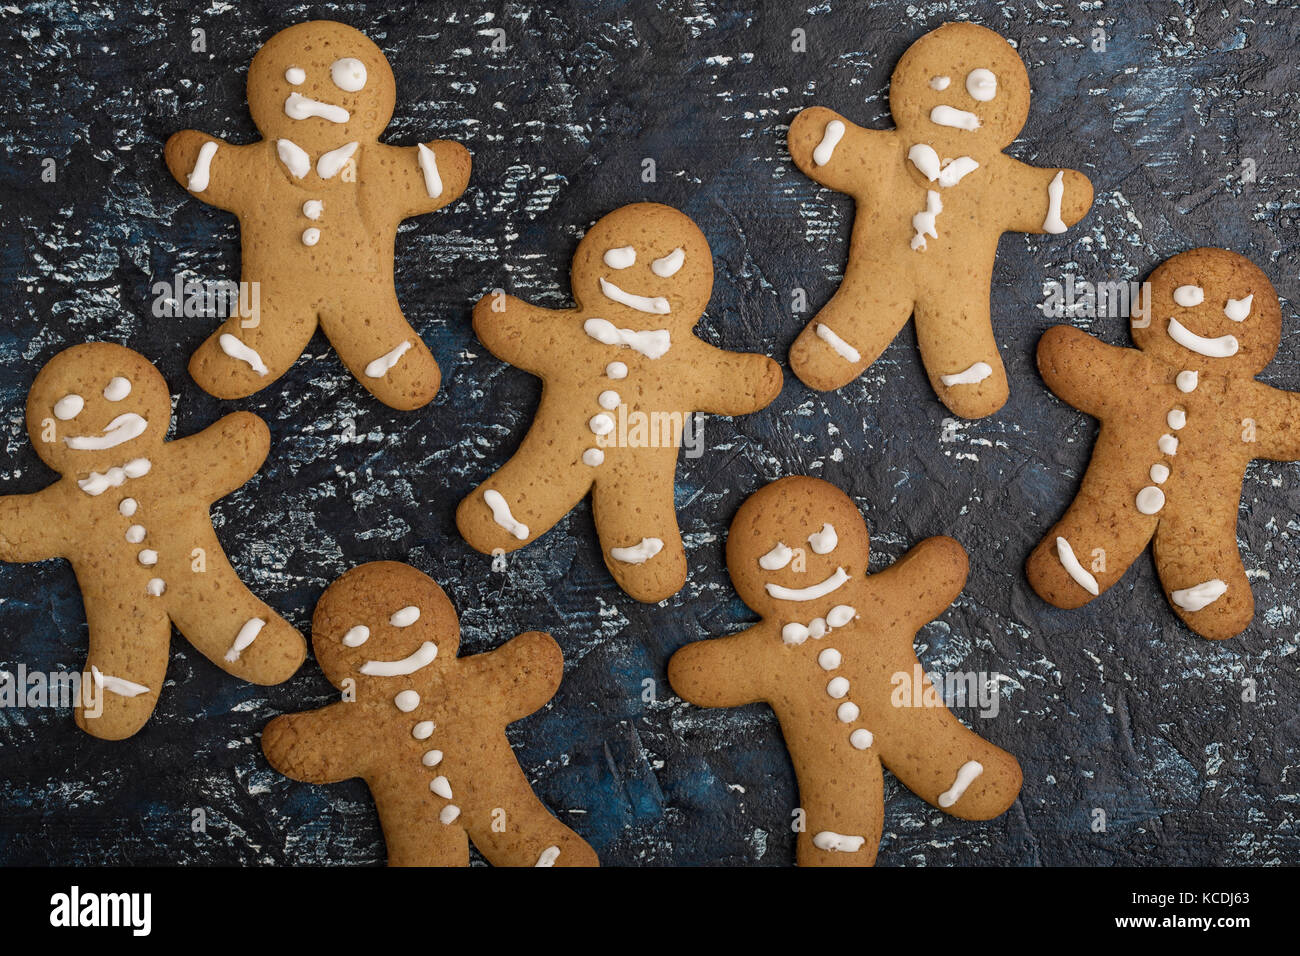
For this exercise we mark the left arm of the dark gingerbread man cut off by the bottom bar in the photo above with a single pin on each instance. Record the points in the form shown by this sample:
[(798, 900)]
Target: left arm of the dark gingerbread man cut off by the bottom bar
[(317, 746)]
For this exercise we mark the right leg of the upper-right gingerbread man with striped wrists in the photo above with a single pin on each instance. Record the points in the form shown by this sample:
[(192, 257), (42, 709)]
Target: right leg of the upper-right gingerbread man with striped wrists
[(959, 349)]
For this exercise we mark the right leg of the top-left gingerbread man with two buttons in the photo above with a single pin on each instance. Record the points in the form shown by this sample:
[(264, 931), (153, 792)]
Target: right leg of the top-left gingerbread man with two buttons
[(380, 348)]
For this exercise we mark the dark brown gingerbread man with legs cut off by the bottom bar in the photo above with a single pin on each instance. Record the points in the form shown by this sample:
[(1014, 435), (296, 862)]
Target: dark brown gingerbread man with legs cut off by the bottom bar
[(426, 729)]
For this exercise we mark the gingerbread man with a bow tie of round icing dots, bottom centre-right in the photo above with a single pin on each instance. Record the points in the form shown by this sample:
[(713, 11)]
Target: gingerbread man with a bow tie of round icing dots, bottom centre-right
[(826, 656)]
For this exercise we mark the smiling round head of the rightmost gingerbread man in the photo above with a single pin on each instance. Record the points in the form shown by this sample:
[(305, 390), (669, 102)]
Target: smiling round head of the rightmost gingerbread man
[(1211, 312)]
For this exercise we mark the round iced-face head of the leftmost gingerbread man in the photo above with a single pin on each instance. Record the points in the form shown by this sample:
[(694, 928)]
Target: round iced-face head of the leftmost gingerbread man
[(97, 406)]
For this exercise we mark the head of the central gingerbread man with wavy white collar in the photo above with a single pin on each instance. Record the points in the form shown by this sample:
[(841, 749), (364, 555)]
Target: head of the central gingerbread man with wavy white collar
[(645, 265)]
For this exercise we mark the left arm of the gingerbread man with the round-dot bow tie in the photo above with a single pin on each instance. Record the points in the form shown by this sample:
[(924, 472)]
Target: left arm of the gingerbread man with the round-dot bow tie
[(722, 672)]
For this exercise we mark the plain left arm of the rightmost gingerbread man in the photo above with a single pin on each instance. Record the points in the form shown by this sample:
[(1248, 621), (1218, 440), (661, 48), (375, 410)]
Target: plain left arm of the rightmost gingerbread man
[(1074, 365)]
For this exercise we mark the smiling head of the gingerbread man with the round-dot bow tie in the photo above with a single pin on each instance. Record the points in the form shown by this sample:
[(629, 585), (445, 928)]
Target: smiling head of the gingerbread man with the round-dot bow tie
[(805, 550)]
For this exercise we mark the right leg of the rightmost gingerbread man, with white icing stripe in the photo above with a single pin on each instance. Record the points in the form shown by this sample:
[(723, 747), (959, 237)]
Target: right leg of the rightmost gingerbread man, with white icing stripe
[(1201, 565)]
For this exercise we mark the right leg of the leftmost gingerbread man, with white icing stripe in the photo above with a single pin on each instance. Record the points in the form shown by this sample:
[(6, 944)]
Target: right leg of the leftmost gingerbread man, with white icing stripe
[(229, 626)]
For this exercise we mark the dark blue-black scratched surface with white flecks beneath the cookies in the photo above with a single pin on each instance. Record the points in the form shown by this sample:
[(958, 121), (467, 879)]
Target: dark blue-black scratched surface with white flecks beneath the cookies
[(1113, 708)]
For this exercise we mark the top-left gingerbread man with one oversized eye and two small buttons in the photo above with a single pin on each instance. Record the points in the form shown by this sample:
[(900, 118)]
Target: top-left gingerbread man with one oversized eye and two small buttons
[(319, 201)]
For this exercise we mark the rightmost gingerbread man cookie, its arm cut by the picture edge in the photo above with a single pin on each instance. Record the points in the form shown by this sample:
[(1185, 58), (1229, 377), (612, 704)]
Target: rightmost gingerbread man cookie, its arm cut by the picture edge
[(1182, 418)]
